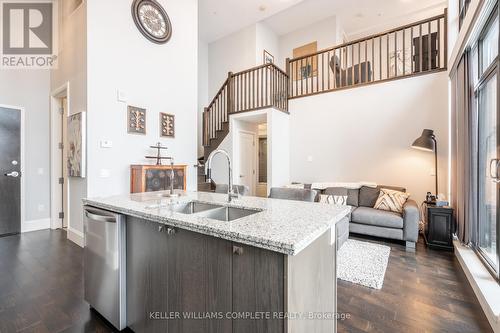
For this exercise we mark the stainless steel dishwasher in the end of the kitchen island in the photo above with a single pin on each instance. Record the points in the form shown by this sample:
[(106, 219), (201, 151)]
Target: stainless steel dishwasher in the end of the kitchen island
[(104, 264)]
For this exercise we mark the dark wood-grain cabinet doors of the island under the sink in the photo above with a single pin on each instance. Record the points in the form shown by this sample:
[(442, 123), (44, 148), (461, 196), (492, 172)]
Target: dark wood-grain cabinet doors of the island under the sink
[(173, 271)]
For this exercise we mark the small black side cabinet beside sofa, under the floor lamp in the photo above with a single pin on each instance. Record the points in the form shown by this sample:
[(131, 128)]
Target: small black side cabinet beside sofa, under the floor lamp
[(439, 227)]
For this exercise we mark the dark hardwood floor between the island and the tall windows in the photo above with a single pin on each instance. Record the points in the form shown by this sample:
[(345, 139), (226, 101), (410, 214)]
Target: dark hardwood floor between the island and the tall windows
[(425, 291)]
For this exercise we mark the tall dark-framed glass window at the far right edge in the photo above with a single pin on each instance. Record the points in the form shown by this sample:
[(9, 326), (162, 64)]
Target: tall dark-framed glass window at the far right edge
[(485, 65)]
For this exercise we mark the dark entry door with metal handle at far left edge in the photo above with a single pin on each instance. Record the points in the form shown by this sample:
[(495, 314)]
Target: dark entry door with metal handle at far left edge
[(11, 183)]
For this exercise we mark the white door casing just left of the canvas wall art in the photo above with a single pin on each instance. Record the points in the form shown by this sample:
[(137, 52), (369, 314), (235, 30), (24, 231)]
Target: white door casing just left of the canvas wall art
[(56, 192)]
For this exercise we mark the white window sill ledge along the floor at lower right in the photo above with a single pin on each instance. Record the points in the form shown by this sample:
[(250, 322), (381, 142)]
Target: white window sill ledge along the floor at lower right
[(484, 285)]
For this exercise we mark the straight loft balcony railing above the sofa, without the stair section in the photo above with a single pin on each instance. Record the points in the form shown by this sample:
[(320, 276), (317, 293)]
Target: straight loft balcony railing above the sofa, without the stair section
[(413, 49)]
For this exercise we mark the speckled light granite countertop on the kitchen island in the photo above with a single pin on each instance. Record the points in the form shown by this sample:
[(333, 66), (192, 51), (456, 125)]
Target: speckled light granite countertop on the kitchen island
[(282, 226)]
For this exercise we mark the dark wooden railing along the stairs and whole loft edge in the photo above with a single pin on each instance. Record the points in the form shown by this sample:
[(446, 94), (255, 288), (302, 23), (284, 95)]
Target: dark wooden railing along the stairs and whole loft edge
[(415, 49)]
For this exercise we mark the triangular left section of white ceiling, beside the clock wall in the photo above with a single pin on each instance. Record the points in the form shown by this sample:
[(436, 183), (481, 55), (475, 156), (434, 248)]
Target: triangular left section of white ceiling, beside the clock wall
[(219, 18)]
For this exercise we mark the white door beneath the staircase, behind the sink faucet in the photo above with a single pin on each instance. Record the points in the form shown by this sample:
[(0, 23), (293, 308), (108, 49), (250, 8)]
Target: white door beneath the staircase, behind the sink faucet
[(246, 168)]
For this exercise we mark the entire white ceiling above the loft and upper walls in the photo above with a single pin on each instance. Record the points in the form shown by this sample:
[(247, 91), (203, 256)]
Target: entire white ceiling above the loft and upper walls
[(219, 18)]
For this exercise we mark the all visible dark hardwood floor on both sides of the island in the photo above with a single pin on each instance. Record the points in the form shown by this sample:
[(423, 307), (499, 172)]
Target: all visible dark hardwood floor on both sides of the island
[(41, 290)]
